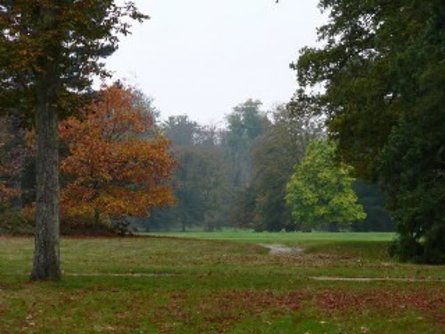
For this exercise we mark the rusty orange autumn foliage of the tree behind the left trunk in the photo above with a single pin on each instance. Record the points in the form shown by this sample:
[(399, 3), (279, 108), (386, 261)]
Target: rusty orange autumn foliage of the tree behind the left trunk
[(118, 165)]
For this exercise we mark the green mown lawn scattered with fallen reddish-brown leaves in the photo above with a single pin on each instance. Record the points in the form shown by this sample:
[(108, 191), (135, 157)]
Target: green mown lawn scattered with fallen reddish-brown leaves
[(221, 283)]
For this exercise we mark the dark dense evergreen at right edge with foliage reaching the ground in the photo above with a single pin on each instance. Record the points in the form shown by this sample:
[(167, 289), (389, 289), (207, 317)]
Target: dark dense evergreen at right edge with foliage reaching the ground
[(411, 167)]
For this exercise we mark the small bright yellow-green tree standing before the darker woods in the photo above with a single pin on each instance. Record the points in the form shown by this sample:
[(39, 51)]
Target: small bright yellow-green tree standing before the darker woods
[(320, 193)]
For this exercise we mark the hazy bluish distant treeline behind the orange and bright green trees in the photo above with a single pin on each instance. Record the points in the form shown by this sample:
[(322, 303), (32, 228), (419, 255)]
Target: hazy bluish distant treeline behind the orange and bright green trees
[(236, 176)]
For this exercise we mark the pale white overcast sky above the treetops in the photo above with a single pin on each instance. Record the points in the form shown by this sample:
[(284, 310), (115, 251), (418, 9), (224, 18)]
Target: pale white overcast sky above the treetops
[(203, 57)]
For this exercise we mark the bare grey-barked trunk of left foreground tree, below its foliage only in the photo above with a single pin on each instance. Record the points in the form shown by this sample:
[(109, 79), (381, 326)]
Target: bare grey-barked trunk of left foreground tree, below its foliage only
[(47, 250)]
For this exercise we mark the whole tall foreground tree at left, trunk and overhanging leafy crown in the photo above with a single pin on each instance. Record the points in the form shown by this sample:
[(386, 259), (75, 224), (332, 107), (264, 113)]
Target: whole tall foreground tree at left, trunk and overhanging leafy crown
[(49, 51)]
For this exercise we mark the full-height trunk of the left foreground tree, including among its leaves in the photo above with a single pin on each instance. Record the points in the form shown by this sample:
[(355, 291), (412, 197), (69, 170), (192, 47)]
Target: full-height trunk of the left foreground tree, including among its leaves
[(47, 250)]
